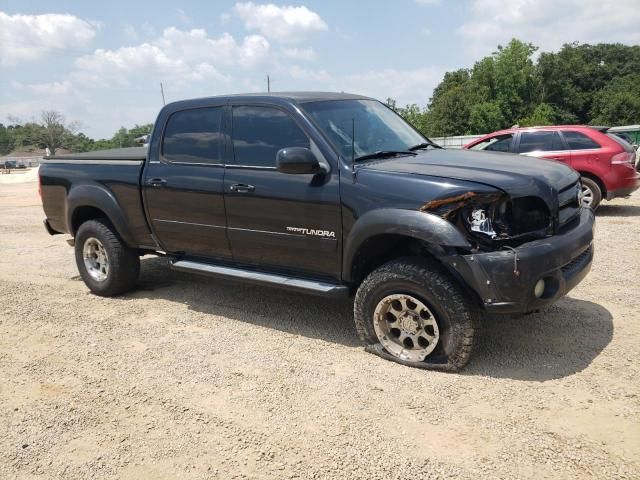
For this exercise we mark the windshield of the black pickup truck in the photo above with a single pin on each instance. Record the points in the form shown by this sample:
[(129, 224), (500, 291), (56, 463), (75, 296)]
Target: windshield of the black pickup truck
[(377, 128)]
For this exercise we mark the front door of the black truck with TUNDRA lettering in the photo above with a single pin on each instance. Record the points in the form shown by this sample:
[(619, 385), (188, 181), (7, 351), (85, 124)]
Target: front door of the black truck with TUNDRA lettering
[(278, 220)]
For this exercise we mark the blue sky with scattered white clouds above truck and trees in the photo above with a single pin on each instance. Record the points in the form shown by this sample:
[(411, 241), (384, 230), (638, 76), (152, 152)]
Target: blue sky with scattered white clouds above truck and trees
[(100, 63)]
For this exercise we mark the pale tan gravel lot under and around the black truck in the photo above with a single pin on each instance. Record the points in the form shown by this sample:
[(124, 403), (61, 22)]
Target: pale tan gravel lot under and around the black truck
[(188, 377)]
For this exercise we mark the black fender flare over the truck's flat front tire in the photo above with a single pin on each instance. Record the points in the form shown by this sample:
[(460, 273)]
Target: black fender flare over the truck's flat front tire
[(423, 226)]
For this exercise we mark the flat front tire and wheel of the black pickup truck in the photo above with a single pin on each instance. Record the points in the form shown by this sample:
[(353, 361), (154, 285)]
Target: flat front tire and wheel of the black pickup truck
[(412, 311)]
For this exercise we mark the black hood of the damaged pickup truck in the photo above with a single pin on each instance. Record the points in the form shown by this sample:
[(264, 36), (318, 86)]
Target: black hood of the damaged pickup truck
[(514, 174)]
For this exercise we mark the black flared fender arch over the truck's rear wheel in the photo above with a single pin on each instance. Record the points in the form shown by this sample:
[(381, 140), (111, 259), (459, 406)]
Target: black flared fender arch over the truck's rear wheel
[(98, 196)]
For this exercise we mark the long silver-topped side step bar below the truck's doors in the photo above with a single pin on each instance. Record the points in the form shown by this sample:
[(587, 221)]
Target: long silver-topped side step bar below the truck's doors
[(325, 289)]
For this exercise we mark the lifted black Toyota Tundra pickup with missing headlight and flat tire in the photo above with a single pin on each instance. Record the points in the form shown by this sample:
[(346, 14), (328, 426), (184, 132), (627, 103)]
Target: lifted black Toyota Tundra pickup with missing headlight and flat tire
[(335, 195)]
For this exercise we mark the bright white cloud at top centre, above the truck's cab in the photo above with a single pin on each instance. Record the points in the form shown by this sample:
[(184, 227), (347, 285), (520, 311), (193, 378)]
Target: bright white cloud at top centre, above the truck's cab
[(285, 24)]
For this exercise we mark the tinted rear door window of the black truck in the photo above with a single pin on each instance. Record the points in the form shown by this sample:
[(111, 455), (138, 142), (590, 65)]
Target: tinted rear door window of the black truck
[(193, 136)]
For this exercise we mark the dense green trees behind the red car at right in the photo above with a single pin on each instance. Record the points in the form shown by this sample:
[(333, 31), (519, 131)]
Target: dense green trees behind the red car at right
[(579, 84)]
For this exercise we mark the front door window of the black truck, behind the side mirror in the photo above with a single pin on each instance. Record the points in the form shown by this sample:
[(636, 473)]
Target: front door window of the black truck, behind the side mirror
[(259, 132)]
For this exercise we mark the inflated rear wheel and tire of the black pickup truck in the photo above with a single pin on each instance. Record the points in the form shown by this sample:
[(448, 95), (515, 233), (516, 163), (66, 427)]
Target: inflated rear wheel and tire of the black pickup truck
[(107, 266)]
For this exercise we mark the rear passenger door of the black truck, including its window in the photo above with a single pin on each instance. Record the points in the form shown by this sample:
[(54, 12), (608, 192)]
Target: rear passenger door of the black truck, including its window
[(183, 186)]
